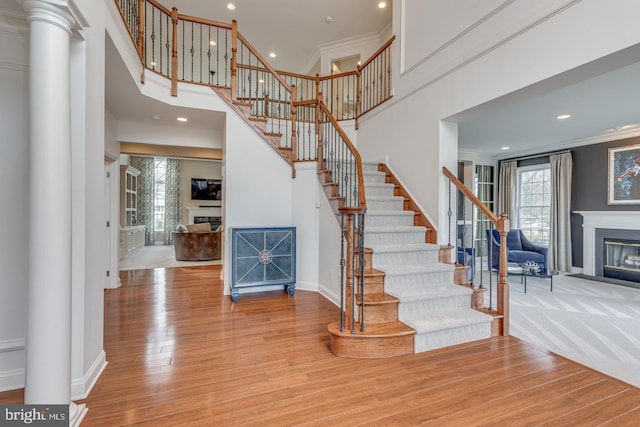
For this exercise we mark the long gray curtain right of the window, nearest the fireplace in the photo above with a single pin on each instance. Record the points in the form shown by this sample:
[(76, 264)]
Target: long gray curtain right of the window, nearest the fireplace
[(560, 227)]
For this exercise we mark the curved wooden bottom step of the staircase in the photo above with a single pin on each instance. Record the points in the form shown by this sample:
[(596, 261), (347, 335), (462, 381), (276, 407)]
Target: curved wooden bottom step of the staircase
[(379, 340)]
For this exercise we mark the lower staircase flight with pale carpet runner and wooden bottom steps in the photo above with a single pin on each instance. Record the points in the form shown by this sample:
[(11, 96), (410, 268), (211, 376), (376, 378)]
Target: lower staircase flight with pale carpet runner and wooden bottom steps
[(417, 307)]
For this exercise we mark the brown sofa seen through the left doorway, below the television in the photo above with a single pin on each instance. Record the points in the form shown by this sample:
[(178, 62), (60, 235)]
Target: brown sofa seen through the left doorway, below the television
[(197, 243)]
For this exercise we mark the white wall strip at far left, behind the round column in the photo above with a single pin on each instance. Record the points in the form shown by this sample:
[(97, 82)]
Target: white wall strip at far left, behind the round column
[(14, 176)]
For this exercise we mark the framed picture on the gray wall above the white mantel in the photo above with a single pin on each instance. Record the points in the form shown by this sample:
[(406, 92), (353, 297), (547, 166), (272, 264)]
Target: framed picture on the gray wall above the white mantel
[(624, 175)]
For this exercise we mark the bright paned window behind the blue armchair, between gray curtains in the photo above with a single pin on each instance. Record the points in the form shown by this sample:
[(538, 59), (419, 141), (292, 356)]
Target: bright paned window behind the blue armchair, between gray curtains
[(534, 202)]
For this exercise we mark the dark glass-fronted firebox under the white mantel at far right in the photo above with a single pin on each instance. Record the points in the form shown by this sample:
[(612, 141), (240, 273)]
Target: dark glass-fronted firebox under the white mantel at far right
[(621, 259)]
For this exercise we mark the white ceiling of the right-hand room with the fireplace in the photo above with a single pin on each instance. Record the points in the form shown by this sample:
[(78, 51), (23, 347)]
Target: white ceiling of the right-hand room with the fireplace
[(602, 97)]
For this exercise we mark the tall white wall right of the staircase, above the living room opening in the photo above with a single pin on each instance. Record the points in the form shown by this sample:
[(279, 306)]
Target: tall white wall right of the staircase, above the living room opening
[(485, 51)]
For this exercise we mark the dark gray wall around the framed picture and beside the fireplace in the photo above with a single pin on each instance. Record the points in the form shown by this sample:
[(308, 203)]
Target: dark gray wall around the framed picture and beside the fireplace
[(589, 192)]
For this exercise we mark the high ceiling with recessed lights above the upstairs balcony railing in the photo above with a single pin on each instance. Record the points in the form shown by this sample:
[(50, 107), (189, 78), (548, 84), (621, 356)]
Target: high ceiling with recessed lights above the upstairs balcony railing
[(293, 29)]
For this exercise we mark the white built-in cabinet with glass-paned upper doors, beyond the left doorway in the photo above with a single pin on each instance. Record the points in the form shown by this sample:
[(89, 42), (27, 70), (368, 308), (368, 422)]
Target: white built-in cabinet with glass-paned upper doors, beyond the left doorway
[(132, 235)]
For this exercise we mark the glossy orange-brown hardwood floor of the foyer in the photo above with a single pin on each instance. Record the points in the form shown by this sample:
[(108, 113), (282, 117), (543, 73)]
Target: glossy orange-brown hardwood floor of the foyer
[(180, 353)]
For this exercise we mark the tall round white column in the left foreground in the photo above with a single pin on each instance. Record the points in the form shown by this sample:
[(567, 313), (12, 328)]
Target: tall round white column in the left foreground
[(48, 344)]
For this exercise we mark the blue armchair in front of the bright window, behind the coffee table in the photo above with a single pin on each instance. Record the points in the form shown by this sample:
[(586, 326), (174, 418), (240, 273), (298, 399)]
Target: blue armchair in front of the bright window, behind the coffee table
[(519, 250)]
